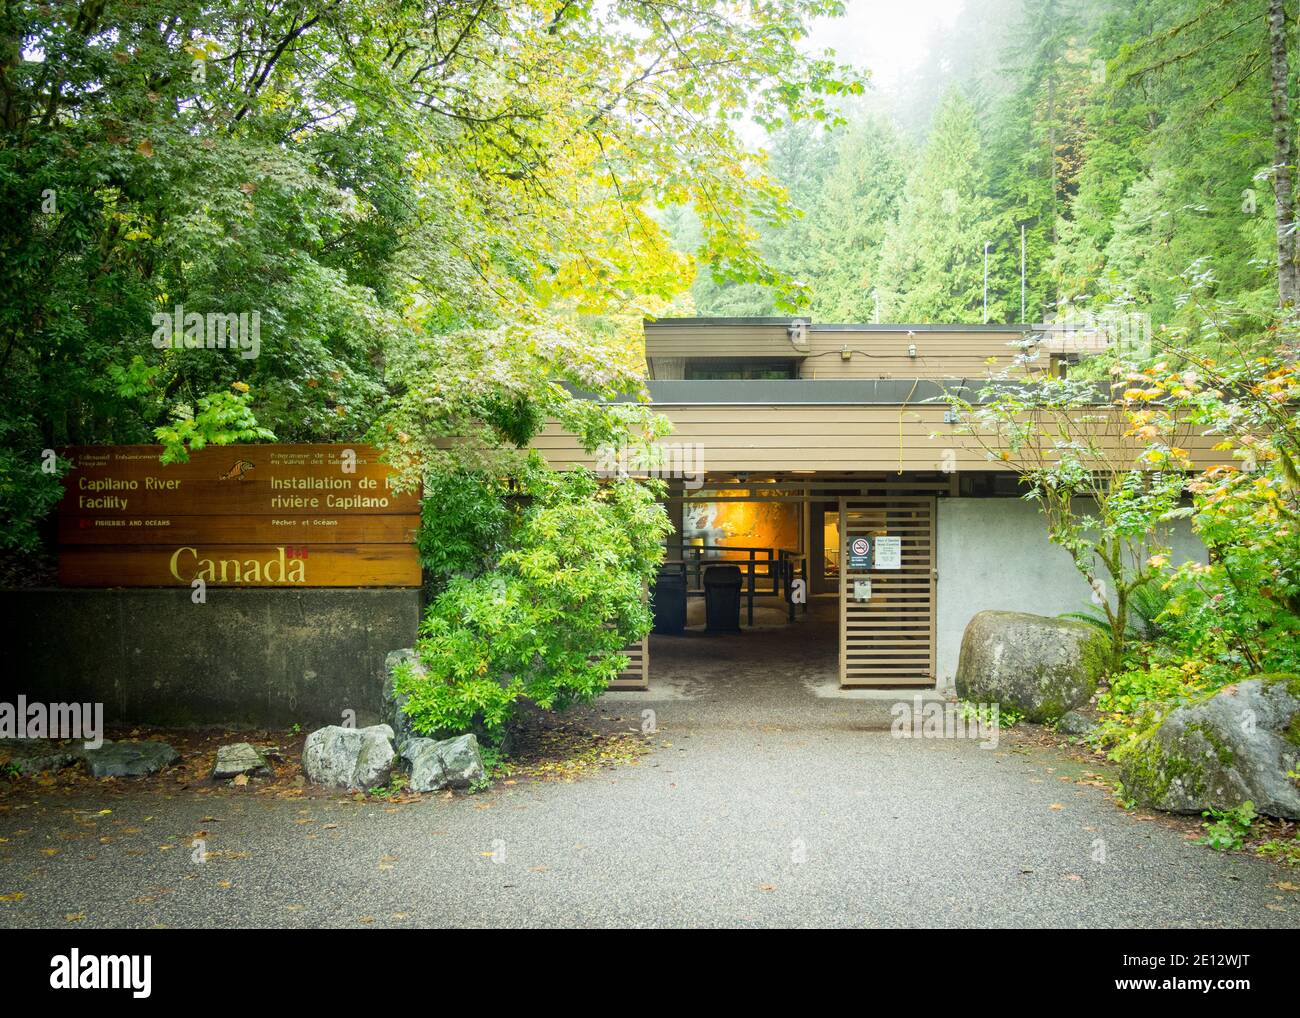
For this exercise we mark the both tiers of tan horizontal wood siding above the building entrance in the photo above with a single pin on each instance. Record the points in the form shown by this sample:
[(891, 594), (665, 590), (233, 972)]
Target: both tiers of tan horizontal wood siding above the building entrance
[(787, 396)]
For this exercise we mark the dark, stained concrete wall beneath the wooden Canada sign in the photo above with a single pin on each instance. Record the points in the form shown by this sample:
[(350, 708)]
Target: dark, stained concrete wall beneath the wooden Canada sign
[(248, 657)]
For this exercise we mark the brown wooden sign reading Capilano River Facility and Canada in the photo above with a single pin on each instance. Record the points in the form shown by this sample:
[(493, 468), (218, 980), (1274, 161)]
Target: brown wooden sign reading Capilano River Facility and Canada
[(275, 516)]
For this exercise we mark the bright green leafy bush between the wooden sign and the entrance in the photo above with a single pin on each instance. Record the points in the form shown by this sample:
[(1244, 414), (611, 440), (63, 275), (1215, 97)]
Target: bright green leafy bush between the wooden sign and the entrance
[(549, 620)]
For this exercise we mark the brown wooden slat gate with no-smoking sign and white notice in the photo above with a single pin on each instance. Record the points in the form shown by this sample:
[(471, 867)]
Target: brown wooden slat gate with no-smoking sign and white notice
[(890, 639)]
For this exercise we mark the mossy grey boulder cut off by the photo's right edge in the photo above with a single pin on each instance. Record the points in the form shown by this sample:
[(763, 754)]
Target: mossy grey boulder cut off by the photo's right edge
[(1238, 746)]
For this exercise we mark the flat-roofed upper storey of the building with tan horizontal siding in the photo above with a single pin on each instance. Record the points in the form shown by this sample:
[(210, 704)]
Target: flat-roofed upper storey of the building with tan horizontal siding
[(774, 349)]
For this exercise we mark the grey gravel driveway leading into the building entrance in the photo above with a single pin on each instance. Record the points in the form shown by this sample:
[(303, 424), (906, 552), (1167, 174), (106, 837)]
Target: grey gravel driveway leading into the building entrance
[(762, 804)]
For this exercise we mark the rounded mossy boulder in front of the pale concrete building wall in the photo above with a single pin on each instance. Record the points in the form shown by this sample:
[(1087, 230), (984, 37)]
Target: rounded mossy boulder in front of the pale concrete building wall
[(1042, 668)]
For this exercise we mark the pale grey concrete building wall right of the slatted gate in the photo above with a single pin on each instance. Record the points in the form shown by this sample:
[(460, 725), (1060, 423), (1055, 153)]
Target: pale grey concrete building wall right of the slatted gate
[(994, 553)]
